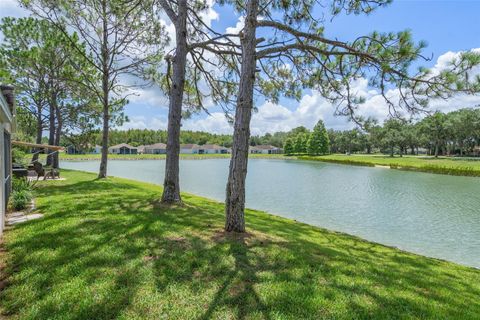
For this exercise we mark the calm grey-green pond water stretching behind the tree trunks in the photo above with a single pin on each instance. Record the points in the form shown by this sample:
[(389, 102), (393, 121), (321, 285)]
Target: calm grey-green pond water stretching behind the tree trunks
[(434, 215)]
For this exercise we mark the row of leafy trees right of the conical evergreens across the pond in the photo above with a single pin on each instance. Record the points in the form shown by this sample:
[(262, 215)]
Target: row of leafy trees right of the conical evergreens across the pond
[(453, 133)]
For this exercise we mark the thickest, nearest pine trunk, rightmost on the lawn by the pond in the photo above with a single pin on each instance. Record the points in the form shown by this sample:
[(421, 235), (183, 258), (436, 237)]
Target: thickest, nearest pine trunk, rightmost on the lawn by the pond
[(235, 193)]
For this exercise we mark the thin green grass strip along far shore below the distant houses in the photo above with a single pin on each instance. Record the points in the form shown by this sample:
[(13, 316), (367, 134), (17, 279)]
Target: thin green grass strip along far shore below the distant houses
[(77, 157)]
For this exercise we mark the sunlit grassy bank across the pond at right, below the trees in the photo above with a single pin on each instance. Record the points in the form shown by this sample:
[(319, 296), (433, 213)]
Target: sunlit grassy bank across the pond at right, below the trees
[(441, 165)]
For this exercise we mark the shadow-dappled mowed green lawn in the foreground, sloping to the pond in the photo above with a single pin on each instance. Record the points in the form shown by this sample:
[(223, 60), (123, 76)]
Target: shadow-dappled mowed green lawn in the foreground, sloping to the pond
[(105, 249)]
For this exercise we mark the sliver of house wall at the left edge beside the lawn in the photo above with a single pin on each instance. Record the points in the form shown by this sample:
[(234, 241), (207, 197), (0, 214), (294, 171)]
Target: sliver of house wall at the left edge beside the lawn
[(7, 126)]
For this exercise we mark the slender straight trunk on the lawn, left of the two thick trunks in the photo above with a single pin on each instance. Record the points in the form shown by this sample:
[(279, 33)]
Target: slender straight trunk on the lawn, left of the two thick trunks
[(105, 91)]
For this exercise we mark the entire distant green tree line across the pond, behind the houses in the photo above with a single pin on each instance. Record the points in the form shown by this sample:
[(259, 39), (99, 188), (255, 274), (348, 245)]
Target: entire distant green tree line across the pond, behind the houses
[(453, 133)]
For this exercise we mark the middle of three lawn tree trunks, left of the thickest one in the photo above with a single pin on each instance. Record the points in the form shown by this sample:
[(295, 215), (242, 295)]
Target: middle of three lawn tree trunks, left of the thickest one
[(171, 184)]
